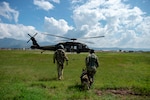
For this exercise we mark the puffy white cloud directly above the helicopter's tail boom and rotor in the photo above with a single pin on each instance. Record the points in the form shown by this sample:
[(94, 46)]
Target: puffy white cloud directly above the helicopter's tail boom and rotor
[(59, 27)]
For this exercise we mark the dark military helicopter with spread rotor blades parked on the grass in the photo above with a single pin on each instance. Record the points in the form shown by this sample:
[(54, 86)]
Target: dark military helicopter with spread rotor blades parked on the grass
[(69, 46)]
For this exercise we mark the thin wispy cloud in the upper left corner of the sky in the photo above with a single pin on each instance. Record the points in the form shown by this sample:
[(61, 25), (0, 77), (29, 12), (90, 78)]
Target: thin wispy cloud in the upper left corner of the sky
[(7, 12)]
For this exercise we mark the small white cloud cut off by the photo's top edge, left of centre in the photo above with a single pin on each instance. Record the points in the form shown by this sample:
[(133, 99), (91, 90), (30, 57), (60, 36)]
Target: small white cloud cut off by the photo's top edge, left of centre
[(43, 4)]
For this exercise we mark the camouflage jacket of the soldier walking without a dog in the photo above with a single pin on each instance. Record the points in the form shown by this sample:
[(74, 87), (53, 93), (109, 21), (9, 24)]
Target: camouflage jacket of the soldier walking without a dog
[(60, 56)]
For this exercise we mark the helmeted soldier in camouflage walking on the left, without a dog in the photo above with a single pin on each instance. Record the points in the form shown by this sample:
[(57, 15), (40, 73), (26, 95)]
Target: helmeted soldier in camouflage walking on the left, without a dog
[(60, 57)]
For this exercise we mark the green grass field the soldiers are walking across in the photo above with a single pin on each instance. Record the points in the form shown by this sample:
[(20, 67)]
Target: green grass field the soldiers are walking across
[(29, 75)]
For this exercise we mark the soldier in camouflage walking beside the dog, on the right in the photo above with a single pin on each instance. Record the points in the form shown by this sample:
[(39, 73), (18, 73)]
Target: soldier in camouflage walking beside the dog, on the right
[(91, 65)]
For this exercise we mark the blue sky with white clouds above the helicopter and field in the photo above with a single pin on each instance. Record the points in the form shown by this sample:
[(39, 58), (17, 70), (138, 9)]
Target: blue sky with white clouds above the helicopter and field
[(124, 23)]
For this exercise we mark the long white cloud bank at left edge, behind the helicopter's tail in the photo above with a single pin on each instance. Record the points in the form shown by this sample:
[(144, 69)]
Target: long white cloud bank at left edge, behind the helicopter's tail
[(17, 31)]
